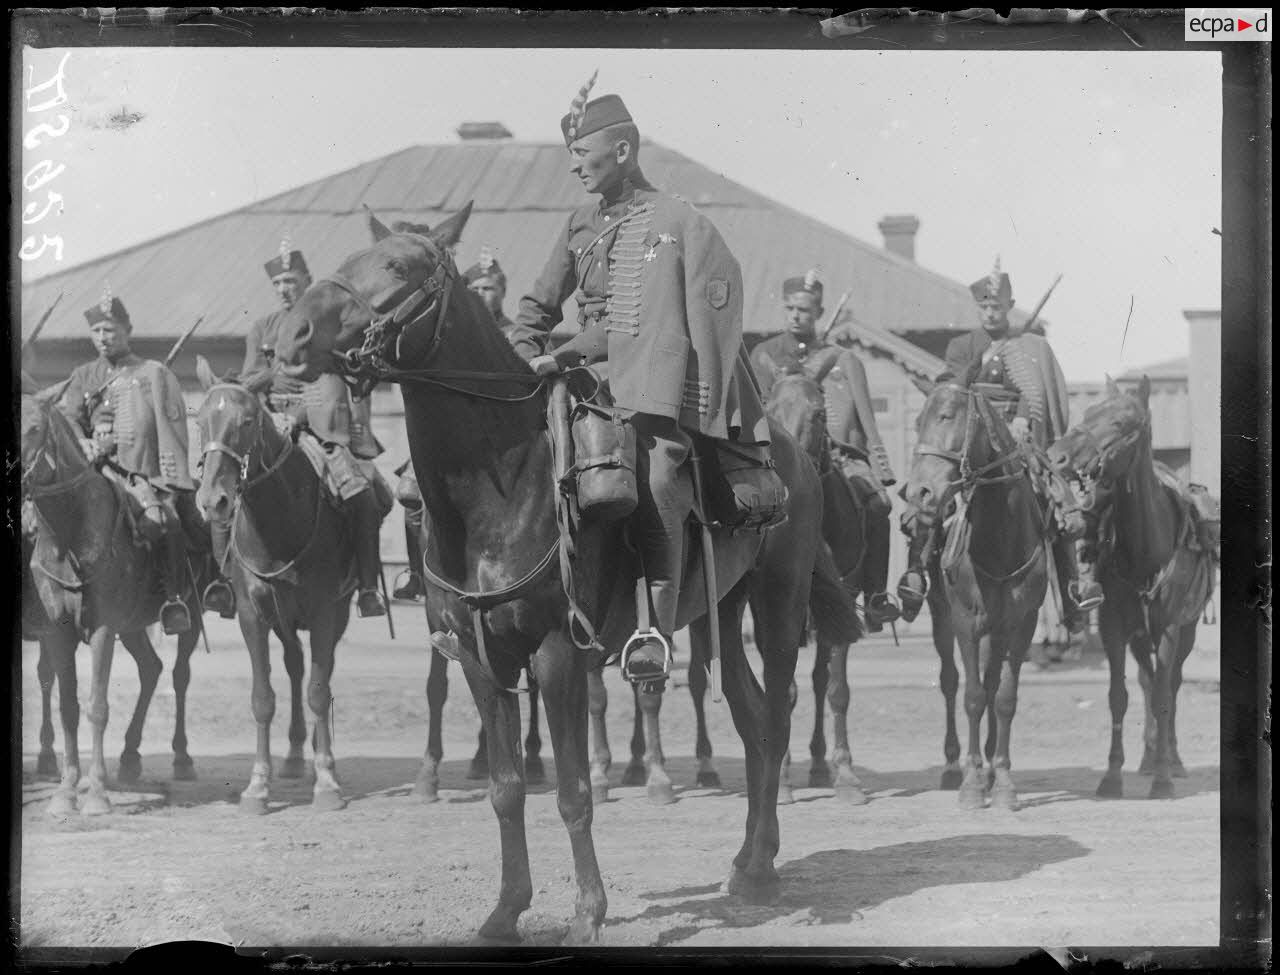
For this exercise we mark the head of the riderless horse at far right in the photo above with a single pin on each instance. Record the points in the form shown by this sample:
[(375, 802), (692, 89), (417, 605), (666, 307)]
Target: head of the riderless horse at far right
[(1101, 448)]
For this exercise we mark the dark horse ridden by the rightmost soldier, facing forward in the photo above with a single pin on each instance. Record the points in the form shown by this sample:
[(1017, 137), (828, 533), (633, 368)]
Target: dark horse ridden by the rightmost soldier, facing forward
[(994, 565)]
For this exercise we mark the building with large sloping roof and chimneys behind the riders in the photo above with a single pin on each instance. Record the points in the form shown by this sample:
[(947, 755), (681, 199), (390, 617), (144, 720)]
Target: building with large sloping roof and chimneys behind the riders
[(897, 312)]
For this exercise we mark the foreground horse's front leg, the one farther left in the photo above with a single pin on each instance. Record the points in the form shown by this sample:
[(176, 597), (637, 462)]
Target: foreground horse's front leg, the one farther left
[(500, 712)]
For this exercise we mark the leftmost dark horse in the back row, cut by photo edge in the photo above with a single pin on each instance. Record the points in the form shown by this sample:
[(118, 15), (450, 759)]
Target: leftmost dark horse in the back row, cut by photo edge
[(94, 580)]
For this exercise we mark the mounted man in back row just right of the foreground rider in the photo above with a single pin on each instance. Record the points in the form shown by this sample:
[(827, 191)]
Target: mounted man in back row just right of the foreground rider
[(856, 441)]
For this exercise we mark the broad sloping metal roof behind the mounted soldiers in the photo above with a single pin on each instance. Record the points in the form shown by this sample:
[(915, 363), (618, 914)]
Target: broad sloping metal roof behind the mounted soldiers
[(523, 193)]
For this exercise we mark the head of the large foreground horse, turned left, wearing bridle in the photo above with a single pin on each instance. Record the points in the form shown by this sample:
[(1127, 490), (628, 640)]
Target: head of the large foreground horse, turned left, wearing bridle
[(381, 299)]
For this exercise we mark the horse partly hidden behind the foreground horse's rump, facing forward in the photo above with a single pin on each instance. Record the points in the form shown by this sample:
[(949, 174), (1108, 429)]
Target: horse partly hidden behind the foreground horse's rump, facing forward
[(797, 402)]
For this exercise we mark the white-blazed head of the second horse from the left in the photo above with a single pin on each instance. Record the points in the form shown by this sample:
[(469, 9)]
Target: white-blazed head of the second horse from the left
[(234, 428)]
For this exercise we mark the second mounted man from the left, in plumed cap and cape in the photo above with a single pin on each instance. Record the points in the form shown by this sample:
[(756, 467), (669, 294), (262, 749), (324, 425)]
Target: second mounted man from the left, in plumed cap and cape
[(339, 422)]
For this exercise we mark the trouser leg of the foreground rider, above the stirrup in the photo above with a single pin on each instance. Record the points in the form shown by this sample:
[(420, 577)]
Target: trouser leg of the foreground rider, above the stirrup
[(666, 498)]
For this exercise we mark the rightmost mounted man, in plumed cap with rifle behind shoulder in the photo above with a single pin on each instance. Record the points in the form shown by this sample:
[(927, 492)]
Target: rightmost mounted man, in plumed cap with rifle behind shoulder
[(1017, 370)]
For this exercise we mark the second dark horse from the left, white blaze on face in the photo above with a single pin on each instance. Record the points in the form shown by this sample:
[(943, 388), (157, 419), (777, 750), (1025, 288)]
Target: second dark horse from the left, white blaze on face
[(291, 564)]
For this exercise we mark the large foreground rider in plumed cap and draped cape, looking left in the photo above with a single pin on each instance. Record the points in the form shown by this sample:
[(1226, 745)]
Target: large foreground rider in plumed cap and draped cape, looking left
[(660, 300)]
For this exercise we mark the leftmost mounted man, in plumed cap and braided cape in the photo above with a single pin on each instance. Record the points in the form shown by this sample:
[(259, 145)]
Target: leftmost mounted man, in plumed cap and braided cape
[(135, 420)]
